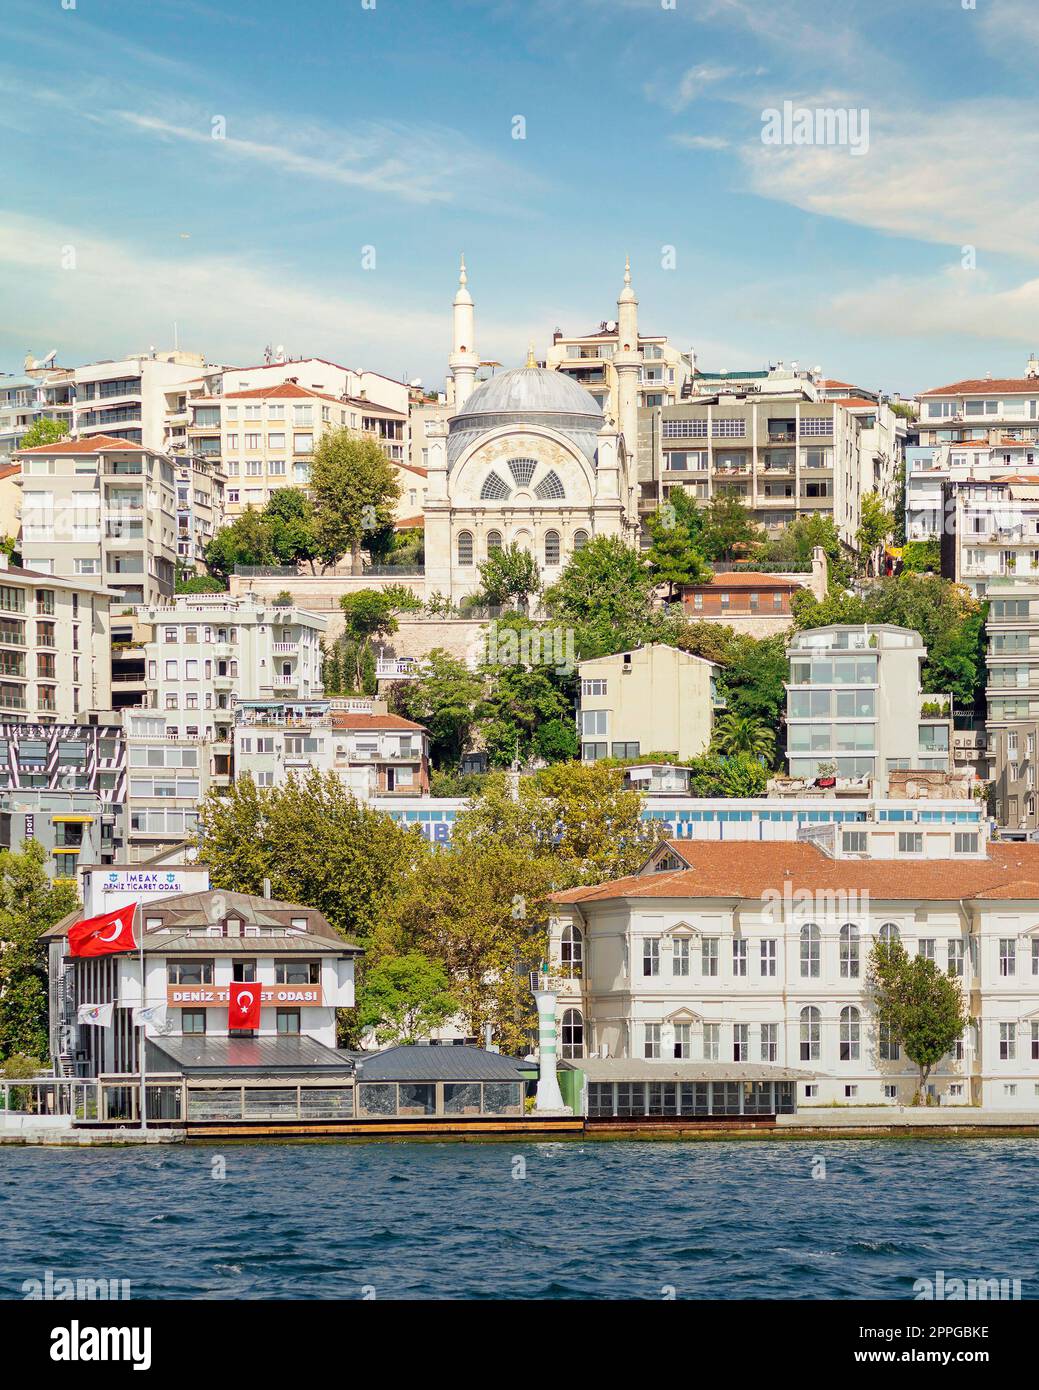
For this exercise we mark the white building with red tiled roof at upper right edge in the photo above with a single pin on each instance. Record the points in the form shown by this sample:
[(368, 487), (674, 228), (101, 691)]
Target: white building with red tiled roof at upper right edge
[(983, 409)]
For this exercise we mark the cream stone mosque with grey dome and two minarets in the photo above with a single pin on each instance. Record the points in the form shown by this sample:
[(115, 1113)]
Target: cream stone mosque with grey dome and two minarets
[(528, 458)]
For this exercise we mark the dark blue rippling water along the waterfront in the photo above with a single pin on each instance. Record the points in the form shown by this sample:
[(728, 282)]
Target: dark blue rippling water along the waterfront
[(589, 1221)]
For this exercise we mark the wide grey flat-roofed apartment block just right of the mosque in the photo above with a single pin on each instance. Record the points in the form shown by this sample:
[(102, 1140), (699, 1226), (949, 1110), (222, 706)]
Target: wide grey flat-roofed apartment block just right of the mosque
[(784, 455)]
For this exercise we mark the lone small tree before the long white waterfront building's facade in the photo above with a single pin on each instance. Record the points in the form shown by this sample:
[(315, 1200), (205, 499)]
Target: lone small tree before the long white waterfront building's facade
[(923, 1007)]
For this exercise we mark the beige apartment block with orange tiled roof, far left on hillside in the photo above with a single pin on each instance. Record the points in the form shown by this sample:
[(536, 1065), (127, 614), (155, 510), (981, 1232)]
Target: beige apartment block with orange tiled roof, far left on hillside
[(101, 508)]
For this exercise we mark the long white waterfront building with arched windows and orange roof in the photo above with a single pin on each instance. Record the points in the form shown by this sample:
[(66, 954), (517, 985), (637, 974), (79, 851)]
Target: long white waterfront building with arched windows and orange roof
[(753, 965)]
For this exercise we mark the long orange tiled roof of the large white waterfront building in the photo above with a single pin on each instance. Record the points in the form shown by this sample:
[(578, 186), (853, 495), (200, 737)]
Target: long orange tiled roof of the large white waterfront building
[(748, 869)]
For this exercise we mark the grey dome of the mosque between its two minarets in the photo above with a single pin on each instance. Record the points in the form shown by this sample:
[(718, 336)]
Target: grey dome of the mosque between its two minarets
[(532, 395)]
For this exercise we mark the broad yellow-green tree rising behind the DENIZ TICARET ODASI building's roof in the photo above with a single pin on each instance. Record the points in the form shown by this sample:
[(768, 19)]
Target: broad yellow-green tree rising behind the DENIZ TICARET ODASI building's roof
[(316, 843)]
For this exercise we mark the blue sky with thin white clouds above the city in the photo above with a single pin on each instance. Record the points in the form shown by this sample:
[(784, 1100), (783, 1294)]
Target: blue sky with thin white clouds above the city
[(233, 176)]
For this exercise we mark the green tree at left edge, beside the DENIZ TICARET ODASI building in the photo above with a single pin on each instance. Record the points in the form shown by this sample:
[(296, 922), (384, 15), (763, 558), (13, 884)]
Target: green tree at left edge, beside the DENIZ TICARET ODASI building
[(30, 903)]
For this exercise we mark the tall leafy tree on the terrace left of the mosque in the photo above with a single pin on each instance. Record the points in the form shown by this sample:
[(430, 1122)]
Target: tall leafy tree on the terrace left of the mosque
[(354, 490)]
